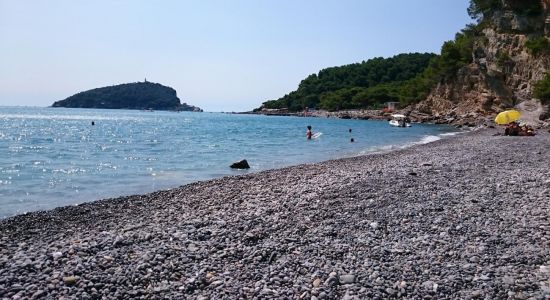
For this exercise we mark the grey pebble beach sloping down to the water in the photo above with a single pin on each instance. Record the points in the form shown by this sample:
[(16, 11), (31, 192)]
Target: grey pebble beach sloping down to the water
[(465, 217)]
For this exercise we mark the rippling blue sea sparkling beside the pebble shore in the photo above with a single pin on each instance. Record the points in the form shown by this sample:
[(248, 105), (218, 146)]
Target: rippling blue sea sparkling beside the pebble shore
[(51, 157)]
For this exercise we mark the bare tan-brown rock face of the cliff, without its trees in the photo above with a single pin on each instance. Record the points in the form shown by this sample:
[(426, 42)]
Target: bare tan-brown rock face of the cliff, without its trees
[(501, 75)]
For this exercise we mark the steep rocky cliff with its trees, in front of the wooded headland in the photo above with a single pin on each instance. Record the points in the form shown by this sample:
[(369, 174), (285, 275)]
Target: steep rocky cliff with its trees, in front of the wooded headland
[(506, 58)]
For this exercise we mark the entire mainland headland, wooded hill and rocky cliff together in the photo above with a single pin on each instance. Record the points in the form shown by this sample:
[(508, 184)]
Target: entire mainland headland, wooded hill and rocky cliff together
[(498, 62)]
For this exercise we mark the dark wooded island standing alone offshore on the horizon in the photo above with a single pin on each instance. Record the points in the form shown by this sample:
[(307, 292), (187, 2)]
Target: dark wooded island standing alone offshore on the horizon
[(139, 95)]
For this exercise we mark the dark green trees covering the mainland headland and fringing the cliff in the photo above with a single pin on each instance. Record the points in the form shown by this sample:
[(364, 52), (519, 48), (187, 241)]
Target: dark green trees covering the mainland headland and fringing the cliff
[(405, 78)]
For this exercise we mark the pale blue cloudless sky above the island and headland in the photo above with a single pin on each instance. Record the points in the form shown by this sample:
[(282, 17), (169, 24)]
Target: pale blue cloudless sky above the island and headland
[(229, 55)]
